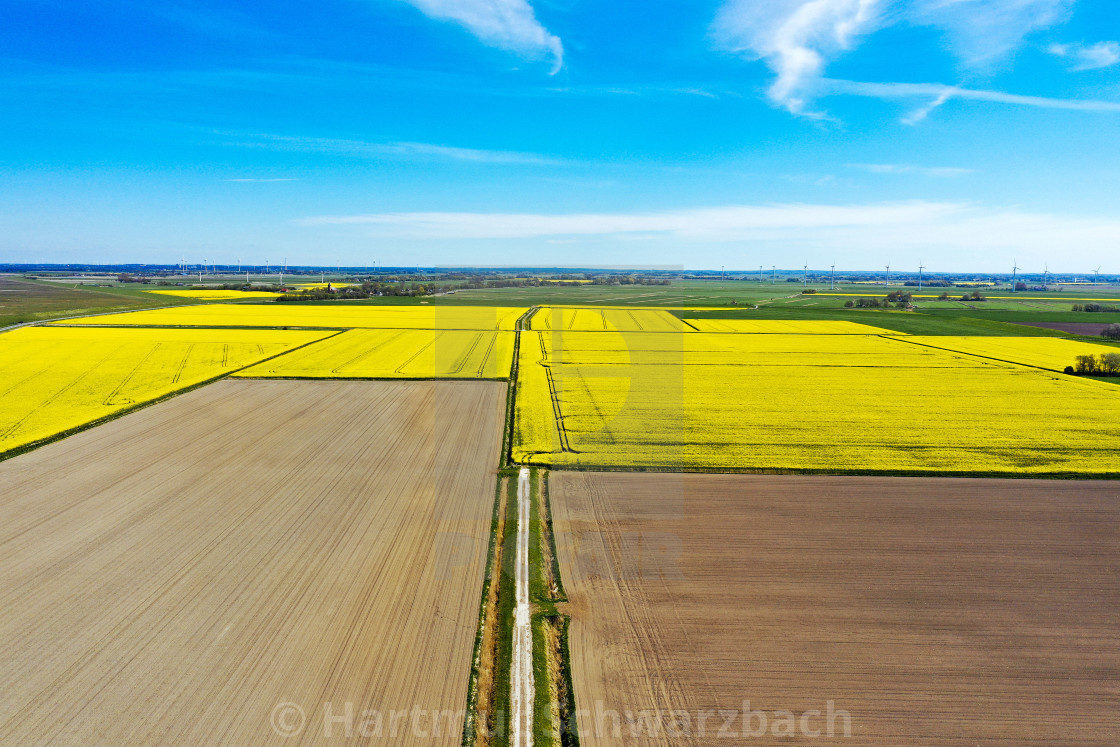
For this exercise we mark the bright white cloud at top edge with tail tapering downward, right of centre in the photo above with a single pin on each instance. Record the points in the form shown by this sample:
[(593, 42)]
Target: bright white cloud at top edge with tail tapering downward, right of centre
[(795, 38)]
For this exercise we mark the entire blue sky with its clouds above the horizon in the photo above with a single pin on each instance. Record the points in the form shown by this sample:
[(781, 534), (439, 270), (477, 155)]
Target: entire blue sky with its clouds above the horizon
[(963, 134)]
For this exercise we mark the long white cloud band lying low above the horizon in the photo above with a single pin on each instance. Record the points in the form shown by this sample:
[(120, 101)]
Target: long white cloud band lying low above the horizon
[(958, 234)]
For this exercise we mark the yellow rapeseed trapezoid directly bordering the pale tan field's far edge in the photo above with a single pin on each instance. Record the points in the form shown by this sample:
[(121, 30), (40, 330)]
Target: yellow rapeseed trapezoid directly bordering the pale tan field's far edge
[(397, 354)]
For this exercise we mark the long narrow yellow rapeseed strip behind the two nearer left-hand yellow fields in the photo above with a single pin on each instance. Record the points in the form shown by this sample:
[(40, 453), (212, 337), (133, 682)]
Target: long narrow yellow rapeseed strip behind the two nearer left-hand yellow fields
[(332, 316)]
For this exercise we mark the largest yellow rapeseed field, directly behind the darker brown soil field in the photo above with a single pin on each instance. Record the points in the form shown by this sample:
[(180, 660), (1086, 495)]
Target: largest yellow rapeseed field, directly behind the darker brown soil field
[(802, 403)]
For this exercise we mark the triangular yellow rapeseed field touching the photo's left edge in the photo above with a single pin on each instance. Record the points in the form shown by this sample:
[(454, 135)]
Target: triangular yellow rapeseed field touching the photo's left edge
[(57, 379)]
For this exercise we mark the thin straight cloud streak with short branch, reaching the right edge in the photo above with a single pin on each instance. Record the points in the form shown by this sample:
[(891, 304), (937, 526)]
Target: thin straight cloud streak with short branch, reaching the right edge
[(941, 95)]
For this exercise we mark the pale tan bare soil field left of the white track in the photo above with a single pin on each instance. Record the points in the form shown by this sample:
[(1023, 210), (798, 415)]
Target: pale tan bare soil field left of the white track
[(239, 563)]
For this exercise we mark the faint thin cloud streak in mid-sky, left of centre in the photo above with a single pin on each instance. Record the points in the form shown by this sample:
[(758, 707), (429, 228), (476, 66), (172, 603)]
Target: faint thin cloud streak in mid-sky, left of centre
[(387, 151)]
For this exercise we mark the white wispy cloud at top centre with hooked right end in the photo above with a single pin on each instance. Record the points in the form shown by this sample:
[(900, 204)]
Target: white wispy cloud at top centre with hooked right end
[(509, 25)]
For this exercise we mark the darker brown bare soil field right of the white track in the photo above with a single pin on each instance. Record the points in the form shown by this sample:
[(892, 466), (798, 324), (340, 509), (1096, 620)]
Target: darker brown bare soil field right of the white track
[(926, 611)]
